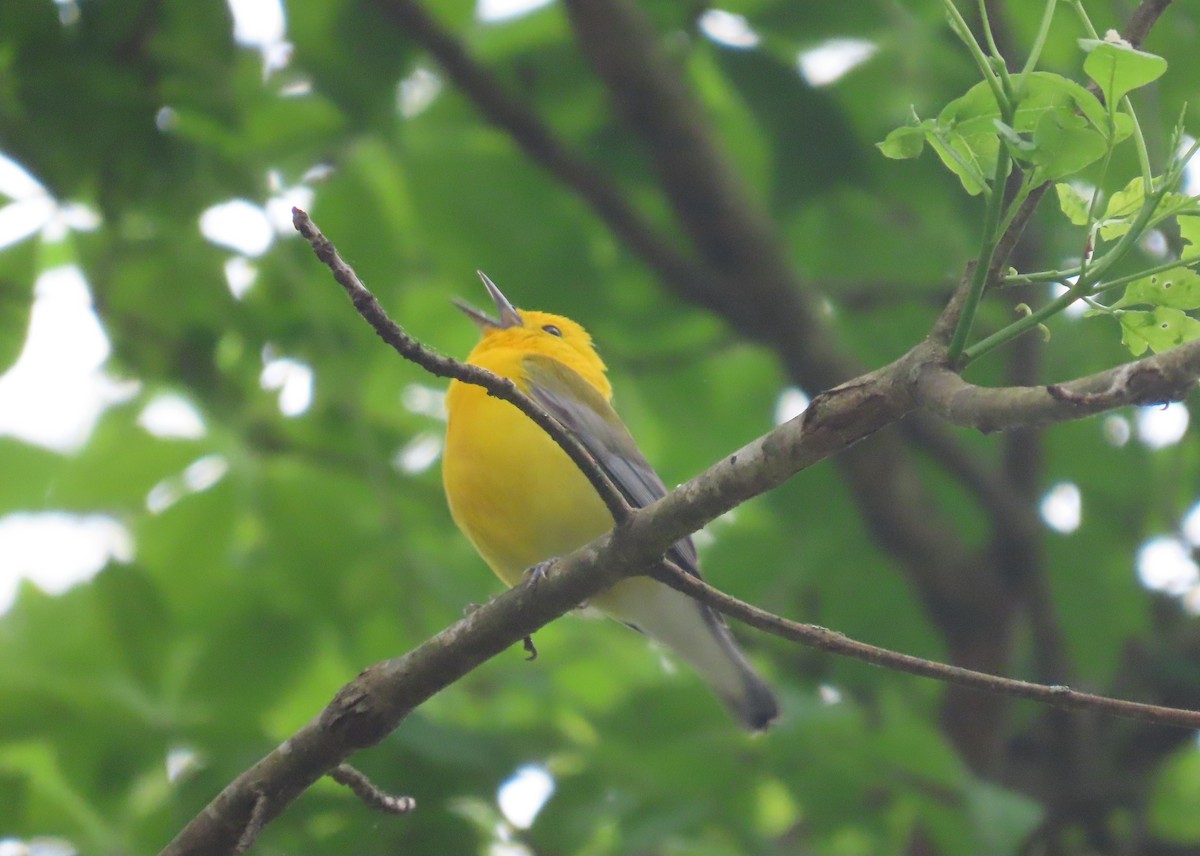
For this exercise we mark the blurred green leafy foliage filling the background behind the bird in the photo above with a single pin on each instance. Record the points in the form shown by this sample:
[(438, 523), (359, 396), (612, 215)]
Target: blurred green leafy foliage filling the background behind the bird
[(251, 602)]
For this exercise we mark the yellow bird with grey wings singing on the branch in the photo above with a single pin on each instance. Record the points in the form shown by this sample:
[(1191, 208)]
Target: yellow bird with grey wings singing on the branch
[(520, 500)]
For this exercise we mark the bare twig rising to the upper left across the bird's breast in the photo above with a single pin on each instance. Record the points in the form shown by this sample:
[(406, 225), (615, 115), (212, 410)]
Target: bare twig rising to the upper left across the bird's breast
[(443, 367)]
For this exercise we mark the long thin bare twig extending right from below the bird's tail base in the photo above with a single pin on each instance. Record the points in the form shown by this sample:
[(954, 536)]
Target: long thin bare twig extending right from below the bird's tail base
[(829, 640)]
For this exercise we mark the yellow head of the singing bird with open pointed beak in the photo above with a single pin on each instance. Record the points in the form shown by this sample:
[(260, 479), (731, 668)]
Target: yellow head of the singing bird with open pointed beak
[(535, 333)]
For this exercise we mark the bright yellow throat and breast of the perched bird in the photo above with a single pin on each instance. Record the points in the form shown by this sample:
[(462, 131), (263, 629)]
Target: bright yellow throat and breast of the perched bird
[(512, 490)]
